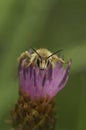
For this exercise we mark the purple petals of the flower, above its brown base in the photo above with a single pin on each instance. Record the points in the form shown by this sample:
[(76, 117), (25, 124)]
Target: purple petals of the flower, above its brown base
[(41, 83)]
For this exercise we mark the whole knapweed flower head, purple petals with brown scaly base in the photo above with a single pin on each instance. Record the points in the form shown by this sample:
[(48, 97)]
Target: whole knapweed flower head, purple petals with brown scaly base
[(35, 108)]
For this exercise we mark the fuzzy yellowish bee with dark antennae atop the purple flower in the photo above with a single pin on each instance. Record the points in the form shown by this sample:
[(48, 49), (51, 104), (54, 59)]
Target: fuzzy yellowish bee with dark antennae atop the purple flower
[(42, 58)]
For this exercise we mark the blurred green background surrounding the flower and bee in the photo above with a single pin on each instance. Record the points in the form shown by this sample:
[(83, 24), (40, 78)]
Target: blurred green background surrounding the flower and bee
[(52, 24)]
